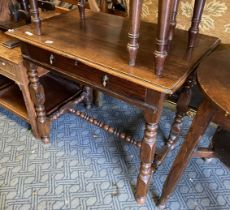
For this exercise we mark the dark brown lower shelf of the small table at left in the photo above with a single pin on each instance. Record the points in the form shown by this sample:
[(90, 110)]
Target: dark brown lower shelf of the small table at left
[(11, 97)]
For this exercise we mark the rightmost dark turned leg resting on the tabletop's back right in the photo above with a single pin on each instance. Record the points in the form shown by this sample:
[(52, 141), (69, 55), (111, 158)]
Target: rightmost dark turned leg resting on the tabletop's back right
[(196, 19)]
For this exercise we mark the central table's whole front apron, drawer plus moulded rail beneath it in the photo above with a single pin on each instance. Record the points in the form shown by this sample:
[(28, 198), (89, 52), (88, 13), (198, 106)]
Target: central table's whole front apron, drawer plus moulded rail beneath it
[(125, 90)]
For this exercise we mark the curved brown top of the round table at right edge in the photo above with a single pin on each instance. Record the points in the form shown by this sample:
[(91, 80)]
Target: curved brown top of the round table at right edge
[(214, 77)]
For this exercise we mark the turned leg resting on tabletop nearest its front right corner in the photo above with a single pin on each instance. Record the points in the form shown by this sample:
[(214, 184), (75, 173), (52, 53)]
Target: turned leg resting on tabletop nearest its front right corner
[(164, 7)]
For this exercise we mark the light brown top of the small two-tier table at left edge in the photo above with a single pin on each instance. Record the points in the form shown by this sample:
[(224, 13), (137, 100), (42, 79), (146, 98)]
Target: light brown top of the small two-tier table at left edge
[(13, 55)]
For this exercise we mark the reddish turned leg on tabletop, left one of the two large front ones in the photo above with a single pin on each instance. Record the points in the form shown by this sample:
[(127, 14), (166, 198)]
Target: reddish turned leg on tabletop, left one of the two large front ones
[(135, 16)]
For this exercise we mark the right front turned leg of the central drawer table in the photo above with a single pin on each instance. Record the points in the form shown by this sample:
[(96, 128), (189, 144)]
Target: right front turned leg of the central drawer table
[(148, 146)]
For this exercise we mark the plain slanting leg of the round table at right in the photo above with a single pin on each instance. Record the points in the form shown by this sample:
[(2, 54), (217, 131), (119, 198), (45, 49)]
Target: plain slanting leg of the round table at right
[(199, 125)]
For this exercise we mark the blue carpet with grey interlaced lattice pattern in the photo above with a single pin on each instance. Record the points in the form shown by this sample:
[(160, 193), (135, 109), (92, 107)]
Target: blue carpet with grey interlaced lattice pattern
[(86, 168)]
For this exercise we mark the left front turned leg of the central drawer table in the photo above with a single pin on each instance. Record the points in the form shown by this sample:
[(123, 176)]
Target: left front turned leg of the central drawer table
[(38, 98)]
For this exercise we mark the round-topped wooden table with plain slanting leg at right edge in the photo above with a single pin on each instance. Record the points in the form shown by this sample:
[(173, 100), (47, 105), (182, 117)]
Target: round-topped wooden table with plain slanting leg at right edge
[(213, 77)]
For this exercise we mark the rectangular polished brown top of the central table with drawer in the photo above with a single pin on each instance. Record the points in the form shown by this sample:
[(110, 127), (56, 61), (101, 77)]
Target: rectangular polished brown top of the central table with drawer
[(102, 43)]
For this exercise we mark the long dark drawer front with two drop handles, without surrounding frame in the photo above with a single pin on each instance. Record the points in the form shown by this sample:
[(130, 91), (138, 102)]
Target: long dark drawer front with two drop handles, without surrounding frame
[(83, 73)]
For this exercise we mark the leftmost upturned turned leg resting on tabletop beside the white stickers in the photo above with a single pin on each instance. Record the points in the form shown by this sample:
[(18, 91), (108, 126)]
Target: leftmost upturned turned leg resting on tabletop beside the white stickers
[(35, 14)]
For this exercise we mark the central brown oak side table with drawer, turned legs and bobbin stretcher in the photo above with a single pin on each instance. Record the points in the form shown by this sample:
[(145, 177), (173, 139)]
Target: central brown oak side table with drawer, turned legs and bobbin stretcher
[(93, 52)]
